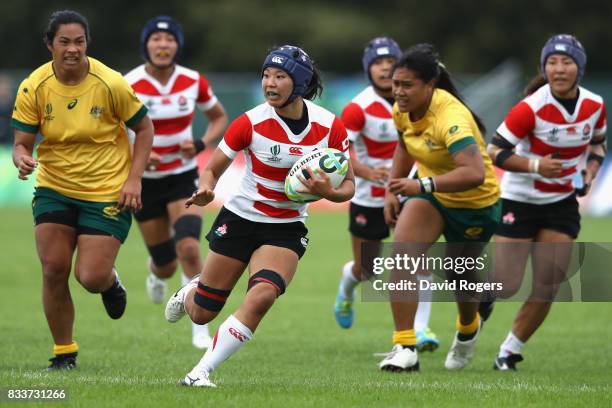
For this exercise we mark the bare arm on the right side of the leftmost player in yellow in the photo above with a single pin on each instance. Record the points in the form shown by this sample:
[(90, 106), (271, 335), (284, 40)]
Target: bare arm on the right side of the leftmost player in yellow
[(130, 196)]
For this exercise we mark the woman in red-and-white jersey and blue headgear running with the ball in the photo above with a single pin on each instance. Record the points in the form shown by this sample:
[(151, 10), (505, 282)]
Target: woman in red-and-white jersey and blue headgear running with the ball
[(259, 227)]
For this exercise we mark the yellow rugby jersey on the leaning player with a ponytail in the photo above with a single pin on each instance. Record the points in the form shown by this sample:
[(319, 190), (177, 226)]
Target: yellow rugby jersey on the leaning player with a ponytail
[(447, 127)]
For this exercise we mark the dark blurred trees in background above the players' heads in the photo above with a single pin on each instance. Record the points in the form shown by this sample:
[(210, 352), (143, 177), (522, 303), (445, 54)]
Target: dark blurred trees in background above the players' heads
[(233, 35)]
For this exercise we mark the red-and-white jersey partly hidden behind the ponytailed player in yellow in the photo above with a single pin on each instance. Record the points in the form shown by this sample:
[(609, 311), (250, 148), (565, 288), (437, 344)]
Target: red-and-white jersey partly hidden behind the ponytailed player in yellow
[(369, 123)]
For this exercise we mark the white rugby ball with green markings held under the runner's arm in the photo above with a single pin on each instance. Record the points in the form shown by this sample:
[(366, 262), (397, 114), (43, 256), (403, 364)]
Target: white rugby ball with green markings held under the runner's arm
[(330, 161)]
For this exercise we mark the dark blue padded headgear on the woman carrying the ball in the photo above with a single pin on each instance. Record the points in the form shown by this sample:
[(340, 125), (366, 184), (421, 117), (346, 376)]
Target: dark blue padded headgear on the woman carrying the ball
[(297, 64)]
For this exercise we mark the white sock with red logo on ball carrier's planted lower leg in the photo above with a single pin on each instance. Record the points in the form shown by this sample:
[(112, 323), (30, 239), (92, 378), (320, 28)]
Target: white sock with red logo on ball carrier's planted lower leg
[(230, 338)]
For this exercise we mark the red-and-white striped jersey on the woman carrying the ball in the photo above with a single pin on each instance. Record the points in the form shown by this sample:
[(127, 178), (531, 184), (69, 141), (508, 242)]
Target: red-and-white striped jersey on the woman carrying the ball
[(271, 149)]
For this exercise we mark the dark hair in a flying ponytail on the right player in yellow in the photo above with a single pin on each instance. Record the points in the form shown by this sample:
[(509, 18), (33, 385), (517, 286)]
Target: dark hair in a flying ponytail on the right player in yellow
[(424, 61)]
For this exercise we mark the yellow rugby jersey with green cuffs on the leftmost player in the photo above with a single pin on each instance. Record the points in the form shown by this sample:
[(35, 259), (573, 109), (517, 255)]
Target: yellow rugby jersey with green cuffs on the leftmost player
[(84, 153)]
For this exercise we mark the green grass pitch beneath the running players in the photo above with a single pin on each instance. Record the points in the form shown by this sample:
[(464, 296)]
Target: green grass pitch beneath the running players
[(298, 357)]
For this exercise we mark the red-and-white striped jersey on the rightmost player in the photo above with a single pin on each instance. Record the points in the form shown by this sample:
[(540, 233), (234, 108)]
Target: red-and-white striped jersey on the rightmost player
[(539, 125)]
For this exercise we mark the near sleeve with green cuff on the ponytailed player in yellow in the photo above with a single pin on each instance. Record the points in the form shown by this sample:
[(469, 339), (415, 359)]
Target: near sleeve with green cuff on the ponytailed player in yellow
[(457, 129)]
